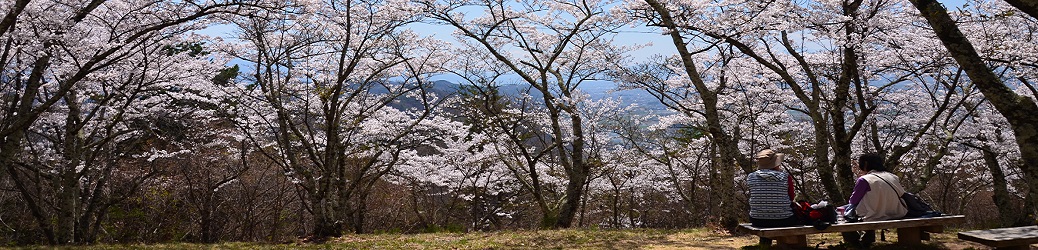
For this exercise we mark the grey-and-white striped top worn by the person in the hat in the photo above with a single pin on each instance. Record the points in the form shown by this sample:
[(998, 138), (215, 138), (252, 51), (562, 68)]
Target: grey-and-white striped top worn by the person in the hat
[(771, 195)]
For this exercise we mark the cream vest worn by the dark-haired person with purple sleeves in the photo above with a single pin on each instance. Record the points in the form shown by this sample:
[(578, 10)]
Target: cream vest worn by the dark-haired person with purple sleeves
[(883, 202)]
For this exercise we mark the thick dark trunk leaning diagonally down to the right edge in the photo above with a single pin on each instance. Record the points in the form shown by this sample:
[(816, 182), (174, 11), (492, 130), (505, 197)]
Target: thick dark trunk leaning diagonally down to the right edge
[(1018, 110)]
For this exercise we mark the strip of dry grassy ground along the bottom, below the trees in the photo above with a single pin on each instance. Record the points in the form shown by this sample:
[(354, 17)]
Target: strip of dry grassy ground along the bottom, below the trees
[(580, 239)]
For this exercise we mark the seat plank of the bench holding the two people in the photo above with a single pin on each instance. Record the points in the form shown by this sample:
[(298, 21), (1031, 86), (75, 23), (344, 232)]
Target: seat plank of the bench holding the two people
[(925, 224)]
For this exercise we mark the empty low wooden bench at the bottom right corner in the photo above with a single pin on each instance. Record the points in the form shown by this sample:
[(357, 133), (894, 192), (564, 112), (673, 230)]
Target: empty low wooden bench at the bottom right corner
[(1013, 238)]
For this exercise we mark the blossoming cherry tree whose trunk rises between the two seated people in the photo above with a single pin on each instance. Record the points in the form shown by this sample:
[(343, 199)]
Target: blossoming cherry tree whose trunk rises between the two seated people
[(829, 67)]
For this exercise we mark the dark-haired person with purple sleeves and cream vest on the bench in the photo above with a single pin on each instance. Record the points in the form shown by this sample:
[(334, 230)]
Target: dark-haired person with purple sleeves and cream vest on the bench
[(876, 198)]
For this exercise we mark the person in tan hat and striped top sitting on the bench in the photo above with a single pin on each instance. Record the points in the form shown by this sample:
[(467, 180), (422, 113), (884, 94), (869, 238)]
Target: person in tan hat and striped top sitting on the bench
[(771, 193)]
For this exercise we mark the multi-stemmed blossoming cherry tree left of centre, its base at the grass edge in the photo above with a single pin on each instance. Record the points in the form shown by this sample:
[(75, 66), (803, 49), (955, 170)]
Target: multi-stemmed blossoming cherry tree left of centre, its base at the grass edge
[(338, 93)]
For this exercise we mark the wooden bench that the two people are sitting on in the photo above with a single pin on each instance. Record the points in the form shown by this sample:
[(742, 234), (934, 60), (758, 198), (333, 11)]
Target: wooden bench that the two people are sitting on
[(910, 231)]
